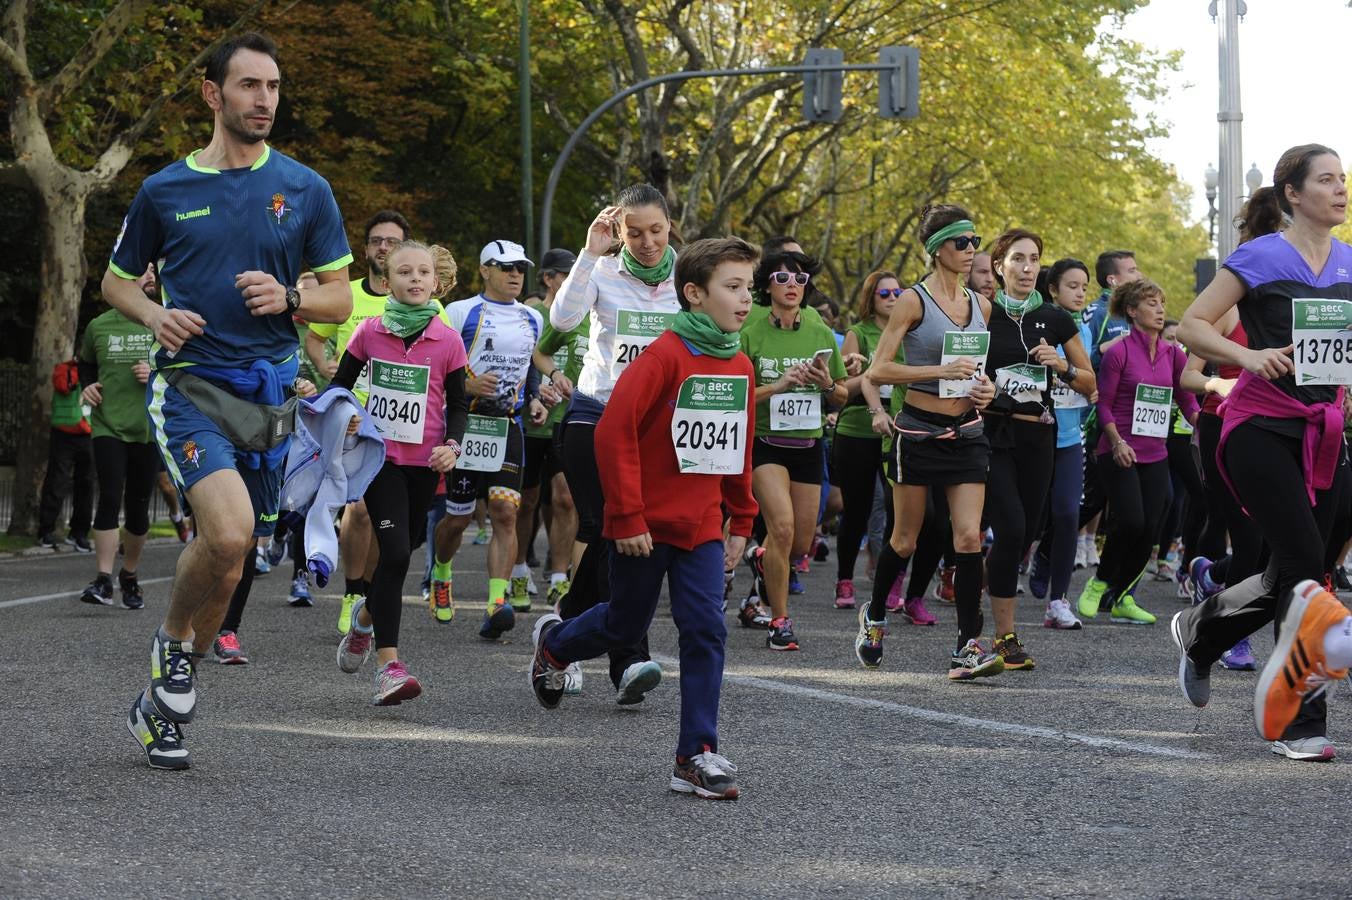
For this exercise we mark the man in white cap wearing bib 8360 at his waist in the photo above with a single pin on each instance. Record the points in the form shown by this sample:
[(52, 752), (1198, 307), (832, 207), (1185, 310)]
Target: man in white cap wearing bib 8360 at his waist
[(501, 334)]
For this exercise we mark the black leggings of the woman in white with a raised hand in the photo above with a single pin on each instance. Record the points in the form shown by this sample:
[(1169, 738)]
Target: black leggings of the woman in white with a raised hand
[(591, 580)]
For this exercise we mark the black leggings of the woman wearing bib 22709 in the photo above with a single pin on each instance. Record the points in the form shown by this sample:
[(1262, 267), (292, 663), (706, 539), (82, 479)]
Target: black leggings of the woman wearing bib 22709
[(1139, 497)]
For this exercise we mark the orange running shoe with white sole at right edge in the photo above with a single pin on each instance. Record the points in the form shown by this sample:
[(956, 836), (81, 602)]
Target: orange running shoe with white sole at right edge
[(1297, 666)]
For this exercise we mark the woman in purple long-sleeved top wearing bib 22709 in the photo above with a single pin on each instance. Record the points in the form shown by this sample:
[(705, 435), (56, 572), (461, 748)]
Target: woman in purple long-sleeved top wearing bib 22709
[(1138, 382)]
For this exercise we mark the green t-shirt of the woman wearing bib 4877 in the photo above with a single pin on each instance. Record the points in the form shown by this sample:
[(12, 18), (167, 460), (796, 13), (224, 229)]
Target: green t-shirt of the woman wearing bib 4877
[(774, 351)]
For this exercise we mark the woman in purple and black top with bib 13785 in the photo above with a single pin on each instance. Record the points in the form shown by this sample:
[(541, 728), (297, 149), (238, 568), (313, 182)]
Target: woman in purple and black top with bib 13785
[(1281, 449)]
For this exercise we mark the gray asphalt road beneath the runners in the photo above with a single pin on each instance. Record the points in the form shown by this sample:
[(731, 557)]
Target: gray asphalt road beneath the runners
[(1088, 776)]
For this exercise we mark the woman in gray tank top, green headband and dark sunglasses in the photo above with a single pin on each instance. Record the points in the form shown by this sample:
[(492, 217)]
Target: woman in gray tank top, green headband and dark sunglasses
[(940, 443)]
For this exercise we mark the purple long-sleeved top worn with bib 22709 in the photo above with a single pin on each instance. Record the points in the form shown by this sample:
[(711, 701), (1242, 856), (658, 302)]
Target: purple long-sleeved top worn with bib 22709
[(1126, 366)]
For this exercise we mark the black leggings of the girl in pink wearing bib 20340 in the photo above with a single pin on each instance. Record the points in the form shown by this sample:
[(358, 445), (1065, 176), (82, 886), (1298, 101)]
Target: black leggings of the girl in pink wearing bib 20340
[(398, 501)]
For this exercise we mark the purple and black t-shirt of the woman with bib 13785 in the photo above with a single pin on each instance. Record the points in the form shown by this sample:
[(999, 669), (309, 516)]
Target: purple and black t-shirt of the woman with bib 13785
[(1274, 274)]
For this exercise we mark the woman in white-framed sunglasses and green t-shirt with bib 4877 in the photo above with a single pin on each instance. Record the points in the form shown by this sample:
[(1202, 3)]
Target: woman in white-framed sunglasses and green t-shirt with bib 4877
[(798, 372)]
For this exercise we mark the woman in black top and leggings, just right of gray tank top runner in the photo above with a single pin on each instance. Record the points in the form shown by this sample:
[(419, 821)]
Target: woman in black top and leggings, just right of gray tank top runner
[(1025, 363)]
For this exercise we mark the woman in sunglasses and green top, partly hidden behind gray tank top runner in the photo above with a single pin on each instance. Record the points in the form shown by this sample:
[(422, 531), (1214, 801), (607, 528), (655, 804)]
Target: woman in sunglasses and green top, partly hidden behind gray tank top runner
[(858, 451)]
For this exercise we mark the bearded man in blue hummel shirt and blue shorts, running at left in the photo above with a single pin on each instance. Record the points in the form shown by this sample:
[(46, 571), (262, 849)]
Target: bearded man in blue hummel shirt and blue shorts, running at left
[(232, 228)]
